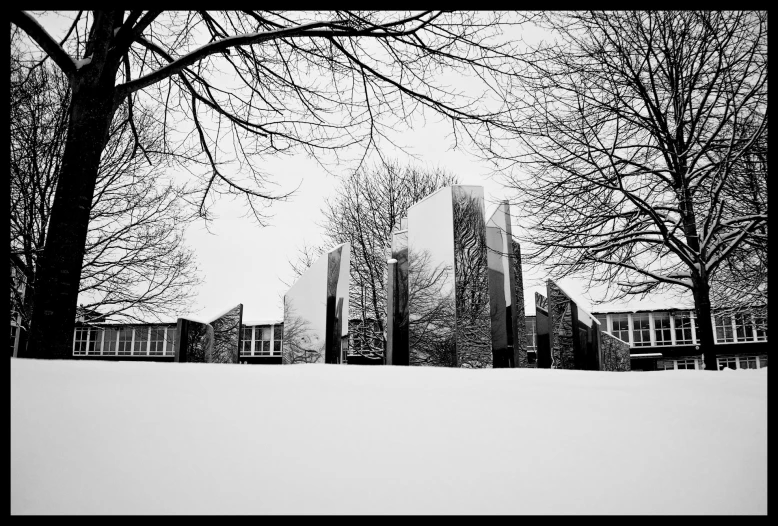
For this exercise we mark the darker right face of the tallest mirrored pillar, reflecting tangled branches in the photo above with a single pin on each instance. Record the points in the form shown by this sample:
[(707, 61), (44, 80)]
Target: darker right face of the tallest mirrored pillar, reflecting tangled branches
[(473, 323)]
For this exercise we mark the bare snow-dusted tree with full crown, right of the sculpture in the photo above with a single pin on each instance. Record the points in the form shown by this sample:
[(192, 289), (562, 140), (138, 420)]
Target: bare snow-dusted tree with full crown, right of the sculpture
[(636, 128)]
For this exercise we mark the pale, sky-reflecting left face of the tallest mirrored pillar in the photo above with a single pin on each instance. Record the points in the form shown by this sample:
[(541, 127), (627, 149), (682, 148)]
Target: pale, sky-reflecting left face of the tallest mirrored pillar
[(431, 285)]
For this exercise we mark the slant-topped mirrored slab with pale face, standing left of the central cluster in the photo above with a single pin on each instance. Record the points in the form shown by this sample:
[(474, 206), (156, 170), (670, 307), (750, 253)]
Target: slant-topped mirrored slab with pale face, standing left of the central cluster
[(315, 310)]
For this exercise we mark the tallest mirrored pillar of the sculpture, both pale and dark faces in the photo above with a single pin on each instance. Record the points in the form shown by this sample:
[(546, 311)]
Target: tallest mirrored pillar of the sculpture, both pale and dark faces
[(448, 280)]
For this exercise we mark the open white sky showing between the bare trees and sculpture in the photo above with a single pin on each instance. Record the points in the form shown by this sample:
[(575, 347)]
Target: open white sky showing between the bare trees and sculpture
[(242, 262)]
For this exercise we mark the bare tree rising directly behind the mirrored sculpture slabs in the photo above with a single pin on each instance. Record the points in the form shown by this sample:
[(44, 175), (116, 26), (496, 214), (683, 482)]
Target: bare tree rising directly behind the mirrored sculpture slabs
[(366, 209)]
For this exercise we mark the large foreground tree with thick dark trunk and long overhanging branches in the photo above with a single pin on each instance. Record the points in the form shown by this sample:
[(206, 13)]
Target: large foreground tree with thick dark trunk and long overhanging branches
[(254, 83)]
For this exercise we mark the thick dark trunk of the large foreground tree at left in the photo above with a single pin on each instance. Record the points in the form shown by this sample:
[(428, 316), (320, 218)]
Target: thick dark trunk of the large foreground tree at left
[(59, 267)]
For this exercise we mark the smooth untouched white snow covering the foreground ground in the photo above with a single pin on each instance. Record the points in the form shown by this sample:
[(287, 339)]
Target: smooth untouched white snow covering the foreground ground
[(92, 437)]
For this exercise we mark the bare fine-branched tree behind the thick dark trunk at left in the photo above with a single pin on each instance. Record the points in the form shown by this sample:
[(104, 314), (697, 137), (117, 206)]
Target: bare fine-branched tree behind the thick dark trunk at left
[(136, 265)]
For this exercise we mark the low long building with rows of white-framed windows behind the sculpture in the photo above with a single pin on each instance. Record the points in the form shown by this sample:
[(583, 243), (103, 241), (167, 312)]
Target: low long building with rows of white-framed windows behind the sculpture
[(741, 339)]
